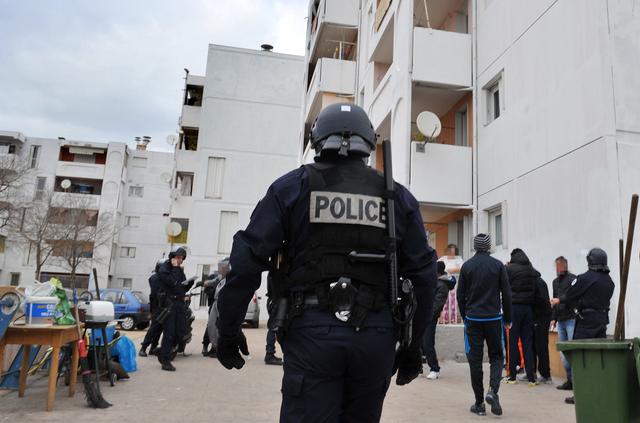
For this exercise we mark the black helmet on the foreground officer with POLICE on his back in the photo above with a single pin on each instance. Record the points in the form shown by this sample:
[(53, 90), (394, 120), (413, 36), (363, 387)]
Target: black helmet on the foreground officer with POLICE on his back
[(343, 128)]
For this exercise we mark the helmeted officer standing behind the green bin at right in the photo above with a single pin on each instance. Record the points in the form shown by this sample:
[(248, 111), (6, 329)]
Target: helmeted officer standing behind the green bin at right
[(590, 293)]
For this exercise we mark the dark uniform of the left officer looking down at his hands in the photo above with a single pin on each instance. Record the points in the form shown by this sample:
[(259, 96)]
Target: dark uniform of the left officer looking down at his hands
[(175, 324)]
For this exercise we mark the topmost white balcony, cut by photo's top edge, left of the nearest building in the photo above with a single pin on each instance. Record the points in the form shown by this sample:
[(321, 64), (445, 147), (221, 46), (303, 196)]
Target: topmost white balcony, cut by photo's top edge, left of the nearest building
[(334, 20)]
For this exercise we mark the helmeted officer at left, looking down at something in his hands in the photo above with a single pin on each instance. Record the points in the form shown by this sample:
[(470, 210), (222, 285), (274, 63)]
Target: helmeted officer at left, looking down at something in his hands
[(174, 285)]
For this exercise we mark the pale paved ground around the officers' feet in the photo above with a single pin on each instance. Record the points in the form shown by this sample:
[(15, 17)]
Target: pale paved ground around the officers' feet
[(203, 391)]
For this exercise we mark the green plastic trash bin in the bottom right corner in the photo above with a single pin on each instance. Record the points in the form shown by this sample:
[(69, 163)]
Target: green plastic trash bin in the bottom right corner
[(606, 379)]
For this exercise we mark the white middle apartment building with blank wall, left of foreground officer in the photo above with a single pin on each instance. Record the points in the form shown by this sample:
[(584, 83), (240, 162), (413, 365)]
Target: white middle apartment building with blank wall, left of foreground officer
[(238, 133)]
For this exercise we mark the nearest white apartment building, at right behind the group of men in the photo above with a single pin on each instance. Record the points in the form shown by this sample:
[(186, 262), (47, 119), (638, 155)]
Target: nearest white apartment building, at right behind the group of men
[(540, 121)]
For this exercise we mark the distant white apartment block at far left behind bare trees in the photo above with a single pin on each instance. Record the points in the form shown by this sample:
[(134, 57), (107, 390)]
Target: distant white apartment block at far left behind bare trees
[(124, 207)]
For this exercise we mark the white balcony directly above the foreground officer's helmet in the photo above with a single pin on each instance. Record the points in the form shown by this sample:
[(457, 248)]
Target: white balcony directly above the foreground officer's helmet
[(331, 76)]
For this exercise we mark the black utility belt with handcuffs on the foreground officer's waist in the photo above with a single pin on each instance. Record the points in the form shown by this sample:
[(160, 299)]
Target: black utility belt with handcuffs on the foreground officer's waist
[(349, 301)]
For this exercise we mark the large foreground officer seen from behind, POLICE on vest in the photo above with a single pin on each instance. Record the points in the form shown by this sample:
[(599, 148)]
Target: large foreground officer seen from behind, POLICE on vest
[(339, 344)]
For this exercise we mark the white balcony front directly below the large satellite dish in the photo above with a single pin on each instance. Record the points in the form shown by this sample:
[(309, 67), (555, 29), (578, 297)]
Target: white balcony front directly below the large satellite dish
[(442, 174)]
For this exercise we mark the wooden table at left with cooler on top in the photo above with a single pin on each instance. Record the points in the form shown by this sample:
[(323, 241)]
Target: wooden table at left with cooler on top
[(56, 336)]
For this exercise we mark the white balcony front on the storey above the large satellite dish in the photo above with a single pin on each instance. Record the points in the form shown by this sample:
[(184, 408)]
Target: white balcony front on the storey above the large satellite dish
[(441, 58)]
